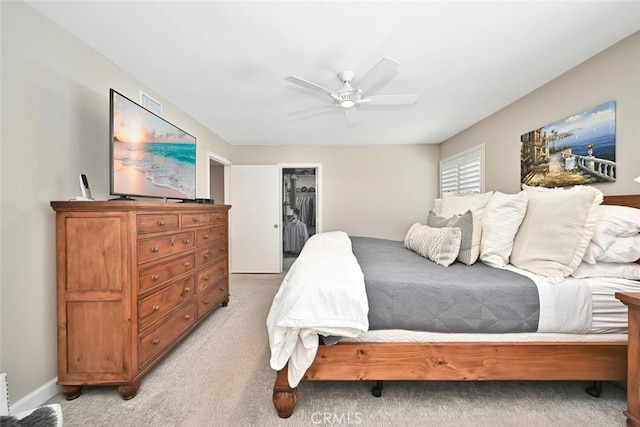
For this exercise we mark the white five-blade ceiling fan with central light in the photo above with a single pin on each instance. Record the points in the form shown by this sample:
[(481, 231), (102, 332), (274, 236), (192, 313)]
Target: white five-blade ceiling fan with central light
[(352, 95)]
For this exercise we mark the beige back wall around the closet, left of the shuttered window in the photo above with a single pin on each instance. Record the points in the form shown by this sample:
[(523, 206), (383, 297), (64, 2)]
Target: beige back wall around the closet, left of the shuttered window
[(375, 191)]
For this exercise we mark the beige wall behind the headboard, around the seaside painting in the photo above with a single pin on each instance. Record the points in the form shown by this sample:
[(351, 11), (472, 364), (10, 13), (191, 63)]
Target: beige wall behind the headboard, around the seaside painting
[(613, 75)]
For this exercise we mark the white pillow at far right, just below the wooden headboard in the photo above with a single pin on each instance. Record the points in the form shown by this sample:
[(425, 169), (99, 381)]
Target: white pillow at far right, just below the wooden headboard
[(615, 221)]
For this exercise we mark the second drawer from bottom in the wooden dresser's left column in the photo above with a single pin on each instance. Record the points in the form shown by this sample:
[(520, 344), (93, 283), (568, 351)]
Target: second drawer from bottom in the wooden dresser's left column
[(162, 302)]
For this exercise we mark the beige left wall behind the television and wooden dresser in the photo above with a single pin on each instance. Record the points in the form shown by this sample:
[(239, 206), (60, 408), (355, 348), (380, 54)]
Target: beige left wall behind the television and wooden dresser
[(55, 104)]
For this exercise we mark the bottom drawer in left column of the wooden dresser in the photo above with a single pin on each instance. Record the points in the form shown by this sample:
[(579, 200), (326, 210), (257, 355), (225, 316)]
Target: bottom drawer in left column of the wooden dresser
[(165, 334)]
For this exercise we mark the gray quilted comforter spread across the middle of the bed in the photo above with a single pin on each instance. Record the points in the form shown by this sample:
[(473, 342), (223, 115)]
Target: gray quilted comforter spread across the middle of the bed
[(407, 291)]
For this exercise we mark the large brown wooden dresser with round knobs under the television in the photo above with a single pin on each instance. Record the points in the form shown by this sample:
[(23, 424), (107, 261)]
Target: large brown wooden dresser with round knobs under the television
[(133, 279)]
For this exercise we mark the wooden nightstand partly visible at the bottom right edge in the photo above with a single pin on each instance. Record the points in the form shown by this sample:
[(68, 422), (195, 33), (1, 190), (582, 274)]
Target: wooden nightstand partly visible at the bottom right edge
[(632, 301)]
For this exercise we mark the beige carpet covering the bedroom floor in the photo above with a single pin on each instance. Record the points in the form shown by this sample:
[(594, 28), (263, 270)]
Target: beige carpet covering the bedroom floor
[(220, 376)]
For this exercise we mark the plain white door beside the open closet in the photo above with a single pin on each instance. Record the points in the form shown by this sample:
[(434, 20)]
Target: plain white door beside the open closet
[(255, 237)]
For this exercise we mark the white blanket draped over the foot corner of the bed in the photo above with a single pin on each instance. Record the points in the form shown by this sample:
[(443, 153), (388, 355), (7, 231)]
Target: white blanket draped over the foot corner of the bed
[(322, 294)]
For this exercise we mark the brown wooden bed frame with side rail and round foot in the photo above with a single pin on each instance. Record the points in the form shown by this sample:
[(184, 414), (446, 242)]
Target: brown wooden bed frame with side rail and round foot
[(462, 361)]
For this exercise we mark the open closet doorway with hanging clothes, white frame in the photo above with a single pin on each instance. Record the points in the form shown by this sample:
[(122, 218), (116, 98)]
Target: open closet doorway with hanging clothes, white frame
[(301, 202)]
